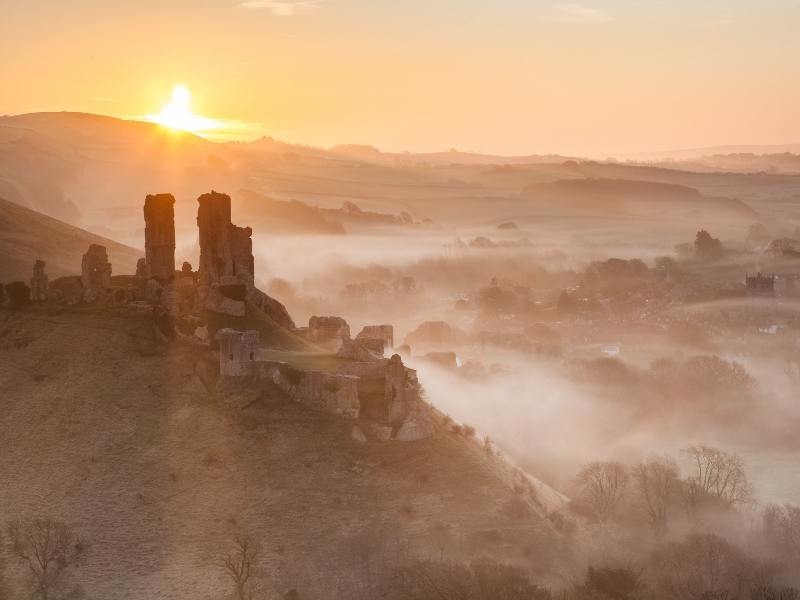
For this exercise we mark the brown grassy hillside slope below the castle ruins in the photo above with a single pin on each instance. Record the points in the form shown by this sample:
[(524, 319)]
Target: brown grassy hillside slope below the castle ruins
[(125, 440)]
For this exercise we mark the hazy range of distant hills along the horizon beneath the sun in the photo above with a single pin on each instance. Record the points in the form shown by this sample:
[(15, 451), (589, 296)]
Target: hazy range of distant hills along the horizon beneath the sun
[(93, 172)]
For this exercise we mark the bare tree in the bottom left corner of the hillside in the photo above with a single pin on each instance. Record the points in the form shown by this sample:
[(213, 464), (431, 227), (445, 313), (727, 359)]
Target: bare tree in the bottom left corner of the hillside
[(48, 548)]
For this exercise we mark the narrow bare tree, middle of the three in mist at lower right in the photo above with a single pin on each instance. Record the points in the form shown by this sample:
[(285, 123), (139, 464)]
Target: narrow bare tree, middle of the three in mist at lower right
[(656, 482)]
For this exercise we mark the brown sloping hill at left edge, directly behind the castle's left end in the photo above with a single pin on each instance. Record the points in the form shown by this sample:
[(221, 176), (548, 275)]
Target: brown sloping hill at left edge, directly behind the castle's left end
[(26, 235)]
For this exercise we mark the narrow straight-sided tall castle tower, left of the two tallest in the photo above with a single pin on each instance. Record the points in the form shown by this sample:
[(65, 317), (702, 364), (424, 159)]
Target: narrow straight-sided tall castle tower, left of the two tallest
[(159, 237)]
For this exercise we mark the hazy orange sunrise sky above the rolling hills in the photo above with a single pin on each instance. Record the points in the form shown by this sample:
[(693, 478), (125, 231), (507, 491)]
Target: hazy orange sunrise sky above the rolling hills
[(509, 76)]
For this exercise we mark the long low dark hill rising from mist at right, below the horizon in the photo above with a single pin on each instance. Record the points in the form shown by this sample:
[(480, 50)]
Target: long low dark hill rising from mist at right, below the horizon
[(635, 198)]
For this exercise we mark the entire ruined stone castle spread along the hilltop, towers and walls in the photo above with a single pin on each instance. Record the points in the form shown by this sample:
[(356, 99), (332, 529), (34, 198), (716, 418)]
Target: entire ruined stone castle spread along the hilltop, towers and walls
[(353, 379)]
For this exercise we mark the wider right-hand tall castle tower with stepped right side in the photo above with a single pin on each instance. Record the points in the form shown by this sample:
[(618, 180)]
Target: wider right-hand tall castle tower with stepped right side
[(226, 251)]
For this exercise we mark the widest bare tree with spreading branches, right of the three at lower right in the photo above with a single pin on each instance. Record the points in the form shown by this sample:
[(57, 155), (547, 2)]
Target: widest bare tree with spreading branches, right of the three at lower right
[(717, 476)]
